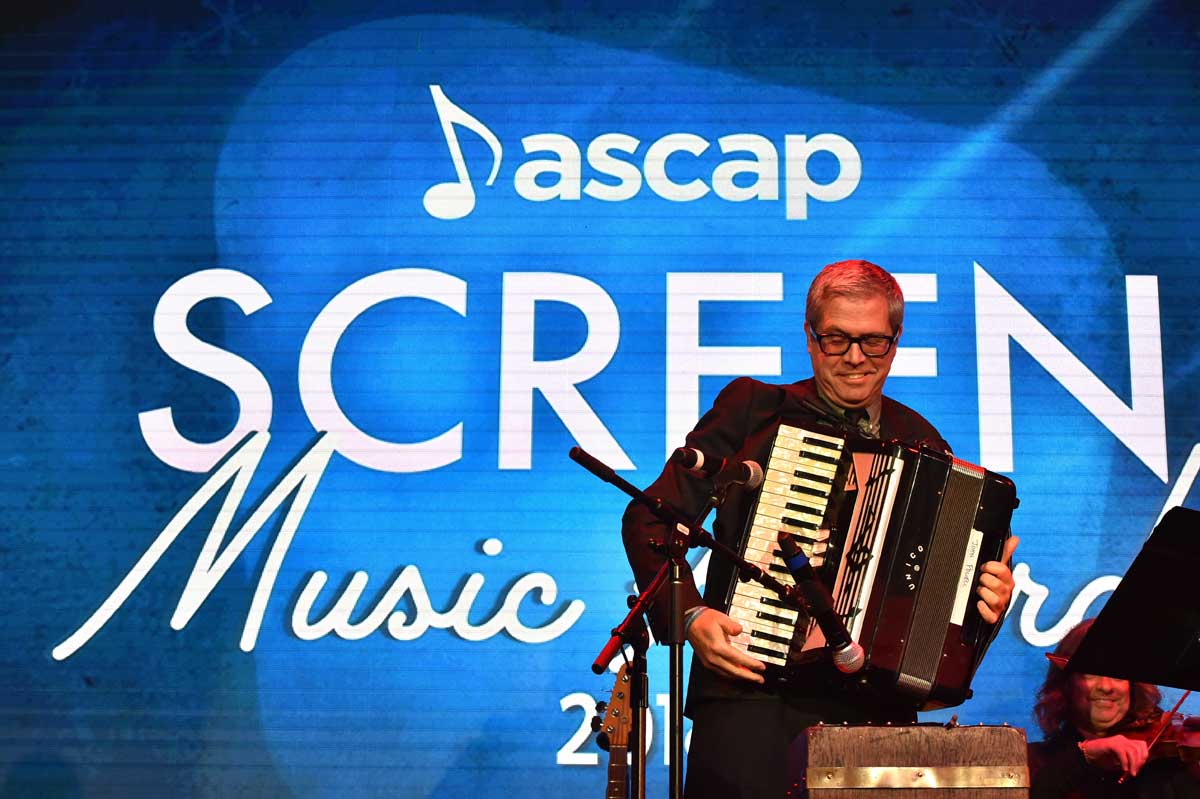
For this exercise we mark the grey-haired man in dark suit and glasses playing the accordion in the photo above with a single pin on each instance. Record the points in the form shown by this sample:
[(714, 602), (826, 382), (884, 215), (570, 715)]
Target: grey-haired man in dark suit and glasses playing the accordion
[(742, 729)]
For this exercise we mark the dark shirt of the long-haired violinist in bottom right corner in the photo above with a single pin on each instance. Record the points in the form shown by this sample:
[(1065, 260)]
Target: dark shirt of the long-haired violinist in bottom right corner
[(1059, 771)]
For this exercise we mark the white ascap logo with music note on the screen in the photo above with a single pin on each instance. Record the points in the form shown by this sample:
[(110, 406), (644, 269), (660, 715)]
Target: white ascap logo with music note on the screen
[(616, 176)]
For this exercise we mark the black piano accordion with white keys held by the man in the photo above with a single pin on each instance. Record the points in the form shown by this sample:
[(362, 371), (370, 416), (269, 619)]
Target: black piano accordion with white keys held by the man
[(898, 534)]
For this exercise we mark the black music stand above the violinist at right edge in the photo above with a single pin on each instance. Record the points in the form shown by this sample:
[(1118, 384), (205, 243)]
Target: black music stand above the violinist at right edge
[(1150, 629)]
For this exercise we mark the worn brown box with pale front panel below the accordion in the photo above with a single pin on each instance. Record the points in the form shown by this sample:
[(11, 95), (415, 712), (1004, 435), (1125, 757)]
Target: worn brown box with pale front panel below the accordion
[(911, 762)]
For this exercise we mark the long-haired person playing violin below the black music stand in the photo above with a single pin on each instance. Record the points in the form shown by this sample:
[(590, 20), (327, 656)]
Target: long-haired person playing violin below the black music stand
[(1096, 730)]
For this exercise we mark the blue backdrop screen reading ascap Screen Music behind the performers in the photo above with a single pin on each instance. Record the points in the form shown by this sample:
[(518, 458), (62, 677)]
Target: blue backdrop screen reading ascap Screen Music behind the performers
[(305, 307)]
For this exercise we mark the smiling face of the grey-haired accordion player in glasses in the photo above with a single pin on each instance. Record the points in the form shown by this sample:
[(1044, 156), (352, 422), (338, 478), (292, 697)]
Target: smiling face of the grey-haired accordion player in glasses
[(853, 380)]
